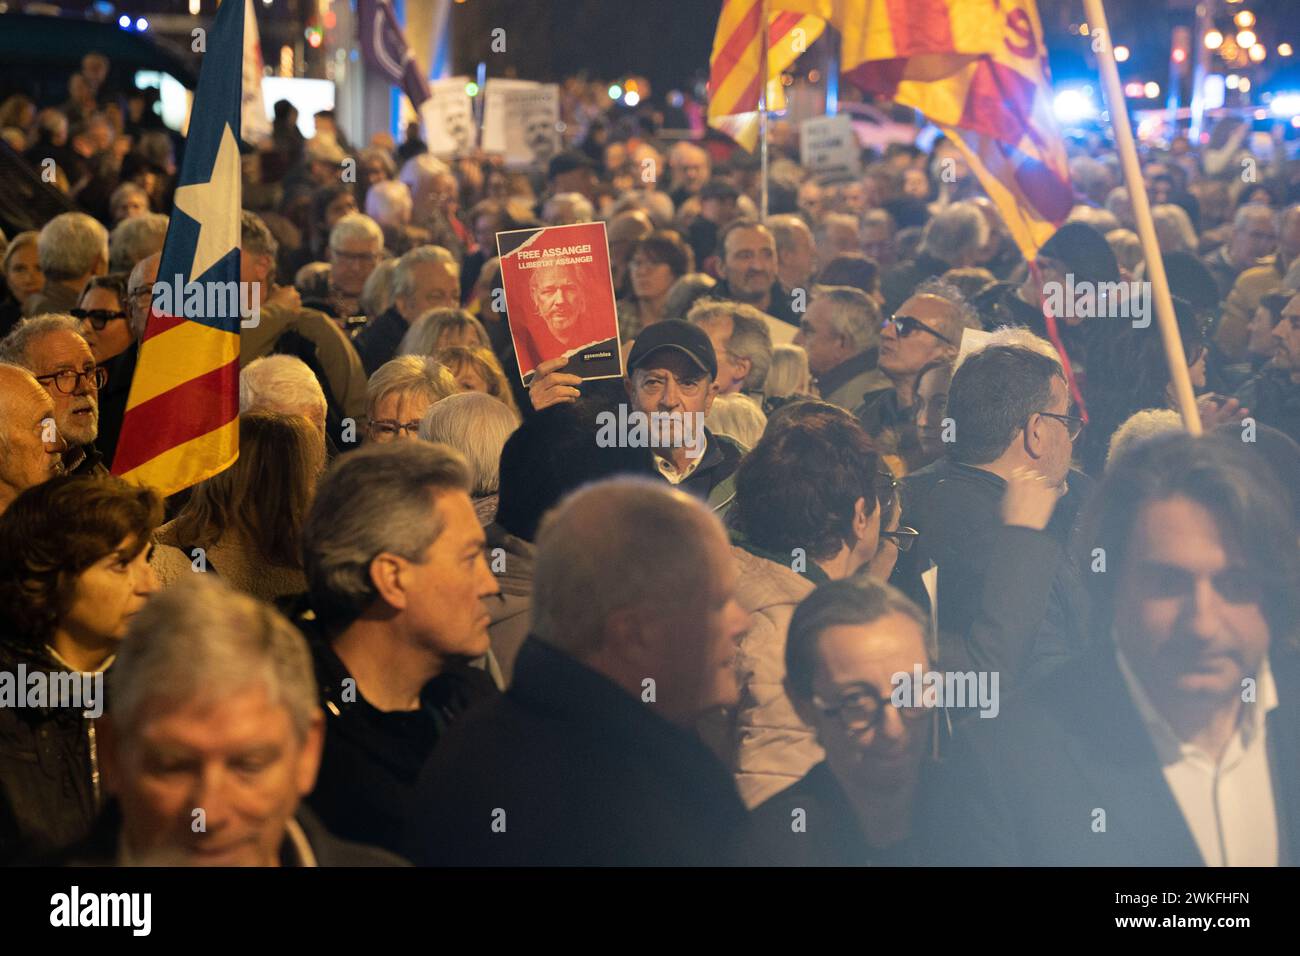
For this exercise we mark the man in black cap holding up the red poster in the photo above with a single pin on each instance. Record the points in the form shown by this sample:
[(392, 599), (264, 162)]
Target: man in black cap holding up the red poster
[(671, 370)]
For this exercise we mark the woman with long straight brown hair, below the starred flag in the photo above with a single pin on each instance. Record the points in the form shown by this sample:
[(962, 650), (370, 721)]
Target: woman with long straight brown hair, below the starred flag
[(245, 524)]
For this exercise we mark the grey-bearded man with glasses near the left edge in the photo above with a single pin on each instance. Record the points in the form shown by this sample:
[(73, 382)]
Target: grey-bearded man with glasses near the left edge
[(53, 349)]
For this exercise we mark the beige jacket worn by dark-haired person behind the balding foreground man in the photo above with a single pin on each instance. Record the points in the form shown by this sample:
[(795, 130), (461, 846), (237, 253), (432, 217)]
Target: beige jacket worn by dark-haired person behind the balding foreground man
[(772, 747)]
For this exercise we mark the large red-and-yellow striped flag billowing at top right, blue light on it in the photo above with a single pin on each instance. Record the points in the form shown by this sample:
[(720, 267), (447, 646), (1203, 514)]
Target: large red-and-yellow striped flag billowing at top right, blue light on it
[(978, 70)]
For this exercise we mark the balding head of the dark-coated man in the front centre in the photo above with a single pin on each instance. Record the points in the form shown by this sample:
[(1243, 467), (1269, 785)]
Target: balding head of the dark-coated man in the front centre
[(636, 579)]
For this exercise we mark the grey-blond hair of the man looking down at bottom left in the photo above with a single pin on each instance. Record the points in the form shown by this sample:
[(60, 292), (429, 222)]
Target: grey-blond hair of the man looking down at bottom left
[(198, 642)]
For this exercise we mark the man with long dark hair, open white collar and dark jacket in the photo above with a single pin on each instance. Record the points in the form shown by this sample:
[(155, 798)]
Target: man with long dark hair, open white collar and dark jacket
[(1175, 741)]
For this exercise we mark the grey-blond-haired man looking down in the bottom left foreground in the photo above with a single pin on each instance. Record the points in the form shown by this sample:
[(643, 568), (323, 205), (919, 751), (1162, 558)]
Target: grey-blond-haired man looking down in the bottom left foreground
[(223, 681)]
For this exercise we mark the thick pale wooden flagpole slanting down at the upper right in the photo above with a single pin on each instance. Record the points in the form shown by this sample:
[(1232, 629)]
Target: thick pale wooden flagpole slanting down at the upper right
[(1175, 354)]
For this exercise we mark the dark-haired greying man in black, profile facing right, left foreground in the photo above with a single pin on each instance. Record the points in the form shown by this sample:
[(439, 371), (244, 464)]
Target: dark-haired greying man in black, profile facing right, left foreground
[(398, 578)]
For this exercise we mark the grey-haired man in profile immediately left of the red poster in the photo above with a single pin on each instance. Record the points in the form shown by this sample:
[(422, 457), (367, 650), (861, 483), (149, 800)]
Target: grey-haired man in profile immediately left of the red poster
[(424, 279)]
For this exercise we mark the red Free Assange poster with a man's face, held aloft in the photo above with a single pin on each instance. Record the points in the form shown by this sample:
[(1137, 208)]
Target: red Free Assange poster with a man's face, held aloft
[(560, 300)]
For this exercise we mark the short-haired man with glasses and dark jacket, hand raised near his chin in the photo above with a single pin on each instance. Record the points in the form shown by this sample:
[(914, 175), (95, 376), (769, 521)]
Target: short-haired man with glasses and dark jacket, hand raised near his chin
[(1011, 598)]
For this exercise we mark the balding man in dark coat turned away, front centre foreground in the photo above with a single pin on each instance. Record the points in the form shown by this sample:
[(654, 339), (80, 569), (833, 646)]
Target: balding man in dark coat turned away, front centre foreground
[(590, 758)]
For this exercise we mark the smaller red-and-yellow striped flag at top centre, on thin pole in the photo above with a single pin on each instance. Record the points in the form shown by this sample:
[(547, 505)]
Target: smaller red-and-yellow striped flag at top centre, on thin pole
[(736, 63)]
